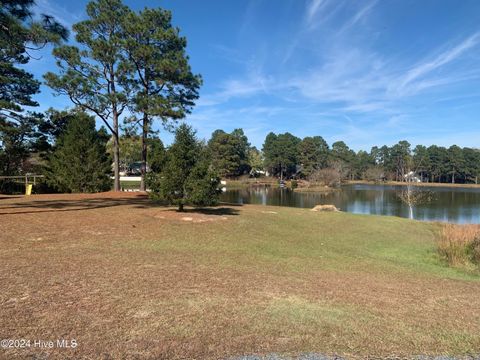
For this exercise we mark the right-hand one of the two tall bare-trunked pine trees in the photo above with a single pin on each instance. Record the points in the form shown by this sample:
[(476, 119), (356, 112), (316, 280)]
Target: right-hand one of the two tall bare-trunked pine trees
[(163, 84)]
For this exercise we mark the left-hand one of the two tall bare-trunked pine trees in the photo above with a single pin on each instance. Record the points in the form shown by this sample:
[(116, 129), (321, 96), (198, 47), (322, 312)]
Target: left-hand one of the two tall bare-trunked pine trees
[(94, 76)]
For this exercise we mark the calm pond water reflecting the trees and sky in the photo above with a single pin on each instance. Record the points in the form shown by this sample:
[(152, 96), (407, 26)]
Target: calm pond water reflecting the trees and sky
[(458, 205)]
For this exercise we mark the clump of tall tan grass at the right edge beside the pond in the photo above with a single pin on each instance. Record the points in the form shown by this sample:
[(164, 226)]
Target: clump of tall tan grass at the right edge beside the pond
[(459, 245)]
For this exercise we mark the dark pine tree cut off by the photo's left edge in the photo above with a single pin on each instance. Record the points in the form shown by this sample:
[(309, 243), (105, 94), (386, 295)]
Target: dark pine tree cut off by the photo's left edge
[(20, 35)]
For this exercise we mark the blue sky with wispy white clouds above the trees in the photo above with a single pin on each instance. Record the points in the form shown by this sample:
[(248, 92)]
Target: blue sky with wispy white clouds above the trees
[(369, 72)]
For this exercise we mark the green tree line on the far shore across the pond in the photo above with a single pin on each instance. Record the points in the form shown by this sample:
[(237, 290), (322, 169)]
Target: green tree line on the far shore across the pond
[(287, 156)]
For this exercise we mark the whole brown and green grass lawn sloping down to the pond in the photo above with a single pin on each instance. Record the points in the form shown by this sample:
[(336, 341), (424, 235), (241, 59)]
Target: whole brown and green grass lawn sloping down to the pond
[(130, 280)]
